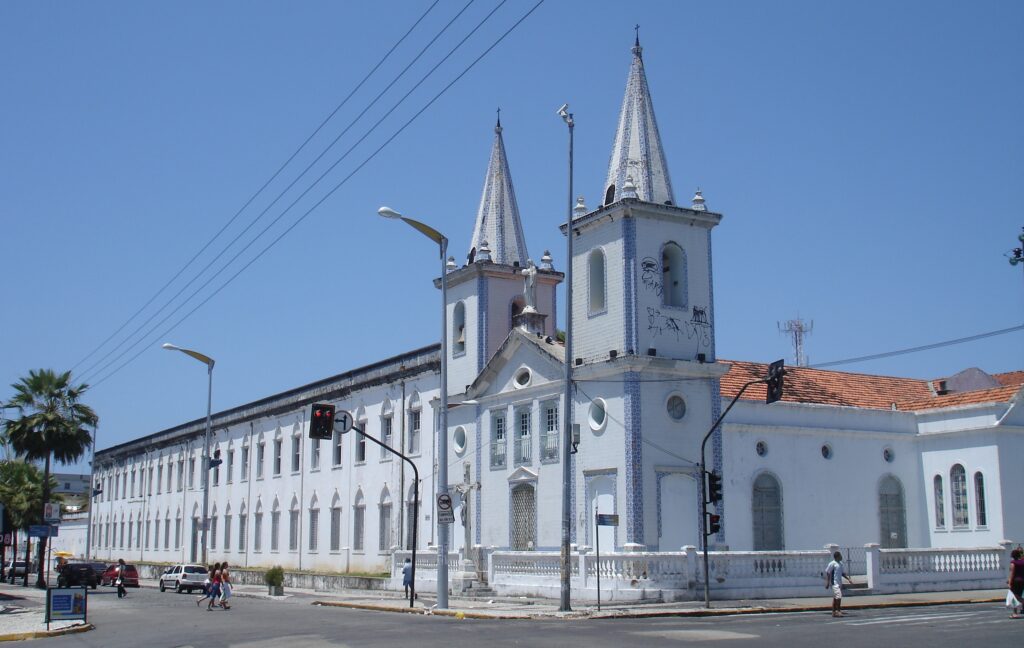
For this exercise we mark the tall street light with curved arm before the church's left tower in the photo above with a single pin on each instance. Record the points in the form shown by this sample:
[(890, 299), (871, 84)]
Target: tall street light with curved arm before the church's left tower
[(443, 530)]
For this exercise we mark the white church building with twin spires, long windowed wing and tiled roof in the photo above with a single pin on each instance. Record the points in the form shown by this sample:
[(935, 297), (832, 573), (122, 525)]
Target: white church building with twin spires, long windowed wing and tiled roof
[(843, 458)]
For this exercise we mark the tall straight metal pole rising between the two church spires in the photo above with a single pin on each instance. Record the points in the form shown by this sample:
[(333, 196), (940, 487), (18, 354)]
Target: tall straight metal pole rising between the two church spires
[(564, 604)]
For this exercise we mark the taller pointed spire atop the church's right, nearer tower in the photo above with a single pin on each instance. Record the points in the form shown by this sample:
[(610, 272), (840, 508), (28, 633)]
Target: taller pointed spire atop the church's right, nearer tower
[(637, 151)]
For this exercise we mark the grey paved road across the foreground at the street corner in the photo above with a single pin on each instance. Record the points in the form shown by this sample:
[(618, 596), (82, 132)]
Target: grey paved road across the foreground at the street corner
[(153, 620)]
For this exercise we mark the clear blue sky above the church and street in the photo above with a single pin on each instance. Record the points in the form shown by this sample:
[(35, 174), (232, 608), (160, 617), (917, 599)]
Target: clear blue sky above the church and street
[(868, 157)]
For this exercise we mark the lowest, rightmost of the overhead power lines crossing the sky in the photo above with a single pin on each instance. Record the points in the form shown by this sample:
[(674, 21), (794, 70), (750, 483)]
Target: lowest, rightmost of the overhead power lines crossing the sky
[(336, 187)]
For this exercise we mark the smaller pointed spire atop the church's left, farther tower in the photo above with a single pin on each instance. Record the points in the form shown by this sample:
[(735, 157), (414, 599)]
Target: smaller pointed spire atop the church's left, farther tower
[(498, 220)]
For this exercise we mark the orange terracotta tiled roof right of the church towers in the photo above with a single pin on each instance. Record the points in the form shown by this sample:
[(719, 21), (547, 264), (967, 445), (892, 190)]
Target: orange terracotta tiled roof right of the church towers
[(858, 391)]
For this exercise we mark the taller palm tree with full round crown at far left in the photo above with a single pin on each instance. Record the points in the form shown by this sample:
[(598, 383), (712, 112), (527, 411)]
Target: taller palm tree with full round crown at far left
[(53, 425)]
